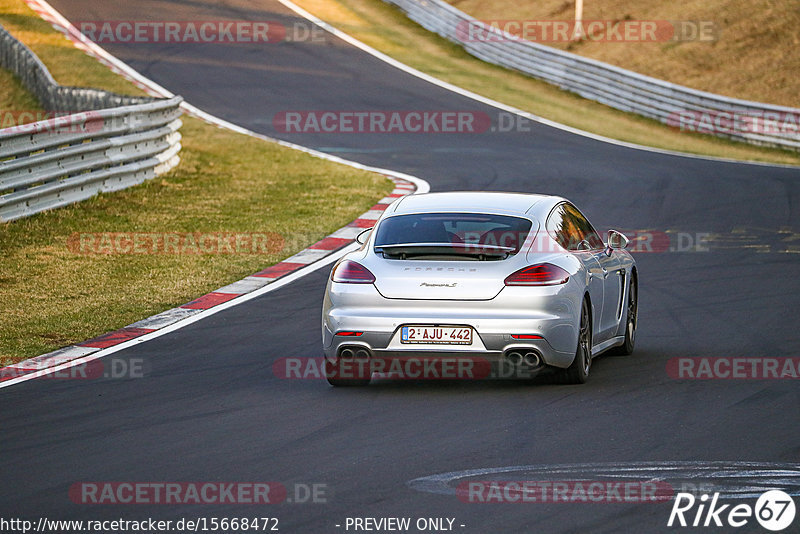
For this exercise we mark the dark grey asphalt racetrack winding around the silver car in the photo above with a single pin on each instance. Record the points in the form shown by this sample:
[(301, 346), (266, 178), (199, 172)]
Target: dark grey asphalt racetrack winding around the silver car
[(210, 408)]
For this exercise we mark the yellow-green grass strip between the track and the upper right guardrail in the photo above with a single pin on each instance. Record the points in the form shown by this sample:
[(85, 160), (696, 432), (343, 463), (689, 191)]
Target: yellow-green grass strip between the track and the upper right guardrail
[(387, 29)]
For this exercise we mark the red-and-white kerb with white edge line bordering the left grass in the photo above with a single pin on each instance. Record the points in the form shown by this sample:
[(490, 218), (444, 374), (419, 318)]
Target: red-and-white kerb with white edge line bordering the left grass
[(306, 261)]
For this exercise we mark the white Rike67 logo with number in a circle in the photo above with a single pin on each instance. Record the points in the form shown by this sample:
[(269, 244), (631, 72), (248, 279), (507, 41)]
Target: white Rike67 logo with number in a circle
[(774, 510)]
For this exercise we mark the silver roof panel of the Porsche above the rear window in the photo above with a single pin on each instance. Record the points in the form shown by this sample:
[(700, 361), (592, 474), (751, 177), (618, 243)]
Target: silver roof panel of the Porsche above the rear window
[(477, 201)]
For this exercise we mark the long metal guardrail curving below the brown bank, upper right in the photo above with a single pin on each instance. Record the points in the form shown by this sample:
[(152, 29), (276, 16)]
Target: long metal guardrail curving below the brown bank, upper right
[(616, 87)]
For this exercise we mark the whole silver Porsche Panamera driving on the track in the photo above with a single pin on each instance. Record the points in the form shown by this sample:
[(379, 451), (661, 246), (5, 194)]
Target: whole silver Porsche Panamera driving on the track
[(447, 282)]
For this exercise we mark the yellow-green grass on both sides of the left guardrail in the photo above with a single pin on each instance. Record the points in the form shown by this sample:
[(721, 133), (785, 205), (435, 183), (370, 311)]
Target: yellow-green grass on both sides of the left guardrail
[(52, 296)]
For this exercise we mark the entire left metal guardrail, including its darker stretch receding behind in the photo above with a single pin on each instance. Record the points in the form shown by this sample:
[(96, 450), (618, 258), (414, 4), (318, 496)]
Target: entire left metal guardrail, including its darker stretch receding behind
[(73, 156)]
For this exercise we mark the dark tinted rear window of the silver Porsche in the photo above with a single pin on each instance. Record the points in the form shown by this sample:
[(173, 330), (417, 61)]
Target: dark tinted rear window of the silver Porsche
[(493, 236)]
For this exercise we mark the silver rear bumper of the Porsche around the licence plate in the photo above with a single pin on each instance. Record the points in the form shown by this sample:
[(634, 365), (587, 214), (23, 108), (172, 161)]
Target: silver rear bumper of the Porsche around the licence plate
[(549, 312)]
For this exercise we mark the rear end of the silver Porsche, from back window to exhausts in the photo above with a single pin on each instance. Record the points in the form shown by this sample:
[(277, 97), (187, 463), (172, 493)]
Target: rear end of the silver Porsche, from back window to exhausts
[(403, 300)]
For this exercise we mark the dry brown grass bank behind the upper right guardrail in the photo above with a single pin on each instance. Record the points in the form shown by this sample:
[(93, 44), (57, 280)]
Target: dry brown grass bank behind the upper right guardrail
[(756, 55)]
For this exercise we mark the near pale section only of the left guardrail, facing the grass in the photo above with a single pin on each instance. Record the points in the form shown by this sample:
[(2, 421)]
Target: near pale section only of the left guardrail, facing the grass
[(52, 163)]
